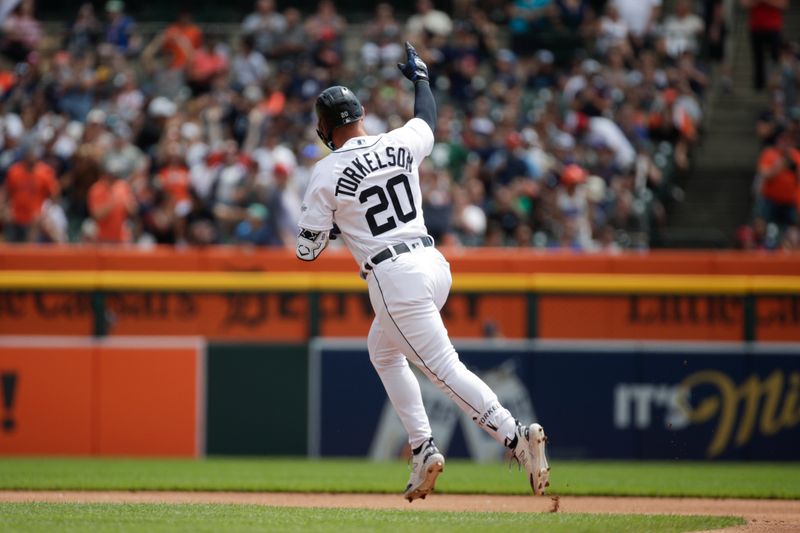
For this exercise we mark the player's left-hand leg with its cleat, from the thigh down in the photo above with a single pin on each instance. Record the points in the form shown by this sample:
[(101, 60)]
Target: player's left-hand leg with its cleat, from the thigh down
[(402, 388)]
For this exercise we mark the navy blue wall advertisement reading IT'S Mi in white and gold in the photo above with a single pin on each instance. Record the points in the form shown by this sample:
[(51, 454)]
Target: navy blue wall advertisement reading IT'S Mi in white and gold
[(648, 400)]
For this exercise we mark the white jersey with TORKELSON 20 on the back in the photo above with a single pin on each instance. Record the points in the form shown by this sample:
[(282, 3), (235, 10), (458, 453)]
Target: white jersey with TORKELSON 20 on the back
[(370, 188)]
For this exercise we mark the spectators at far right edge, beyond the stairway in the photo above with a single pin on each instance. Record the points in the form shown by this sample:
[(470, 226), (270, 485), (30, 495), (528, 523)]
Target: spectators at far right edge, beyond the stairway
[(776, 187)]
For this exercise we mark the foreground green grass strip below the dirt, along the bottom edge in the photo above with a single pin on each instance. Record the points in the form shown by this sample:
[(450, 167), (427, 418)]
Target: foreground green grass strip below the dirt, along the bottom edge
[(236, 518)]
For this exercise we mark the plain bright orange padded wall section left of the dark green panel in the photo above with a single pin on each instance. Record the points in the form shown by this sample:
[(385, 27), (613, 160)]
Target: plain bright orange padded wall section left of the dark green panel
[(87, 398)]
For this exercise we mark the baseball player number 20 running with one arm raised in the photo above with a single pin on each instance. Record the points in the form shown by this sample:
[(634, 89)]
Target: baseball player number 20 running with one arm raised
[(368, 190)]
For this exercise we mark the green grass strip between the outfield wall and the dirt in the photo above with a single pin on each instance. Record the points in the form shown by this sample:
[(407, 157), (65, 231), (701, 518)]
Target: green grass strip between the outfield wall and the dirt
[(600, 478)]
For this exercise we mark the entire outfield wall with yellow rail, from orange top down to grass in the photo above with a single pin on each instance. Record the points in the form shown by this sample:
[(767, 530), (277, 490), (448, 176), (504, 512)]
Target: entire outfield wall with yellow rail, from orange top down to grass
[(248, 392)]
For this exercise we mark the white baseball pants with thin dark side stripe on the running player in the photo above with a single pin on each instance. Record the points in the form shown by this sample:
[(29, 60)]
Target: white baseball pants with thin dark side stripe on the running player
[(407, 293)]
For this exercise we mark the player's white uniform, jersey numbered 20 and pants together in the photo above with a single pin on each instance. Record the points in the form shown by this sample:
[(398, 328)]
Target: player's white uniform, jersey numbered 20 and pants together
[(370, 188)]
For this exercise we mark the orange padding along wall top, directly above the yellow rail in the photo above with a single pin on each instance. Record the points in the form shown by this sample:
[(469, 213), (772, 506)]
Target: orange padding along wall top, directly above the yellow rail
[(31, 257)]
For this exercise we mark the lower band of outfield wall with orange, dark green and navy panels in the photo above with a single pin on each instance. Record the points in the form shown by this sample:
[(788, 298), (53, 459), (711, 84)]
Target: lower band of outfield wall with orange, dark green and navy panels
[(619, 400)]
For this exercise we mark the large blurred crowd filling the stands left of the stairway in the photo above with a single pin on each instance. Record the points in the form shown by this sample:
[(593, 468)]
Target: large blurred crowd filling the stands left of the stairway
[(560, 124)]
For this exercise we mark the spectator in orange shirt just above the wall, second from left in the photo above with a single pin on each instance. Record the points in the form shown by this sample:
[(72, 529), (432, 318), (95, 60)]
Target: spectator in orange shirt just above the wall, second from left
[(111, 202)]
